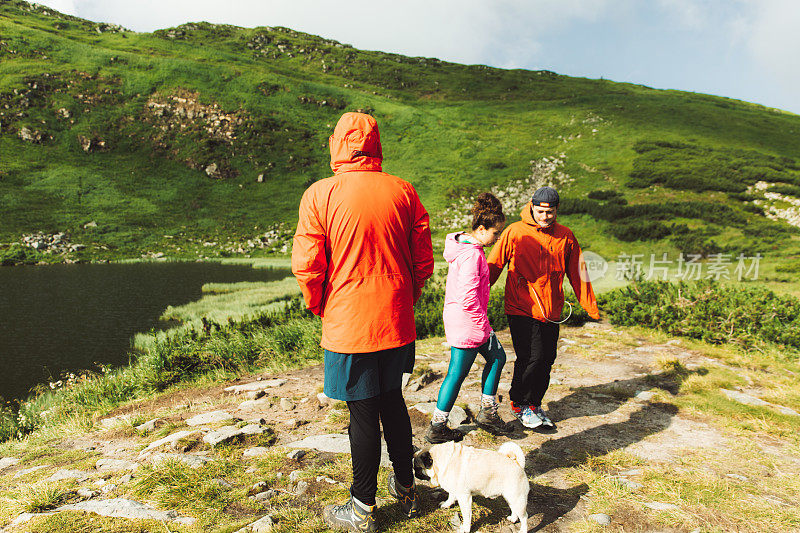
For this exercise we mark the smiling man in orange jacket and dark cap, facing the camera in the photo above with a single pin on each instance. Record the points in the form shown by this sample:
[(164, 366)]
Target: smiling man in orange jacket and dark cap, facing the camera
[(539, 252)]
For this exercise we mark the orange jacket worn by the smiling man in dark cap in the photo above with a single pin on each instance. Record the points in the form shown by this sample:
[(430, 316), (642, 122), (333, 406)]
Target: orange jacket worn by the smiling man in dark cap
[(537, 260)]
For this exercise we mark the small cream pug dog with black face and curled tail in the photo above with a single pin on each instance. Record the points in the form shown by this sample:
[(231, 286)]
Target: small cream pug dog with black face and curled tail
[(463, 471)]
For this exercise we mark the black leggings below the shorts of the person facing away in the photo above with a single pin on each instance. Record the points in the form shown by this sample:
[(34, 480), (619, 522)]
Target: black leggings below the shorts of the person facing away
[(366, 416)]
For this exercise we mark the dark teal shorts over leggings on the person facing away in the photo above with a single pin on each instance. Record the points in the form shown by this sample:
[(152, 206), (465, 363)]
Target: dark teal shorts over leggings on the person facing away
[(358, 376)]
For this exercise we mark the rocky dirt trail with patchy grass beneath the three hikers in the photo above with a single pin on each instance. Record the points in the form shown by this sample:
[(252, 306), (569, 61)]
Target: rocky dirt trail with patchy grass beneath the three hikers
[(610, 394)]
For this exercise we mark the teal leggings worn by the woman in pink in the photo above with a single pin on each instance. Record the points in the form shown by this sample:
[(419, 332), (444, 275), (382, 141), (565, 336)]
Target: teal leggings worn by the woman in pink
[(461, 360)]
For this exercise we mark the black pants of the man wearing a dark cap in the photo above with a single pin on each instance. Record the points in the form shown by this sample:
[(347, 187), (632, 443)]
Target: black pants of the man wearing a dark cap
[(535, 345)]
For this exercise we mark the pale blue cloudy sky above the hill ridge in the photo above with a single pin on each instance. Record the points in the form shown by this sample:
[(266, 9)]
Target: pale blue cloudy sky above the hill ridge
[(744, 49)]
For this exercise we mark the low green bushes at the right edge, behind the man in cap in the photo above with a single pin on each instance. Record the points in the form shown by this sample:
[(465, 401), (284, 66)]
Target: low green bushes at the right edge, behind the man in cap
[(746, 316)]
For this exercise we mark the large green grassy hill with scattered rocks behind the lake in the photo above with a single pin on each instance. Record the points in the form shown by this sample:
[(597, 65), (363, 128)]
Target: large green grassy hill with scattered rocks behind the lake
[(200, 139)]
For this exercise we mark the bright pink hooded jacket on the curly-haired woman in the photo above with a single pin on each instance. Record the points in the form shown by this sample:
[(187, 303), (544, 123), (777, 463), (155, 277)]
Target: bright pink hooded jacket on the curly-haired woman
[(466, 294)]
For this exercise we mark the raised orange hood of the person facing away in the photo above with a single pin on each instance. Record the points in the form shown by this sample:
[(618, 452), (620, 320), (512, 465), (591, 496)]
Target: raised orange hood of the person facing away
[(356, 144)]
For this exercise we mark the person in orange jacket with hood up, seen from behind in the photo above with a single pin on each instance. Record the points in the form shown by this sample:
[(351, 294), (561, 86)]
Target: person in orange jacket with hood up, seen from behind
[(362, 252)]
